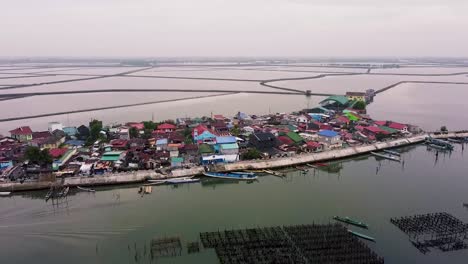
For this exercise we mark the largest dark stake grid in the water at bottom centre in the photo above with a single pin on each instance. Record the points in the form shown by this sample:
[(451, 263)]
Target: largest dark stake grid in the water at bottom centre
[(314, 243)]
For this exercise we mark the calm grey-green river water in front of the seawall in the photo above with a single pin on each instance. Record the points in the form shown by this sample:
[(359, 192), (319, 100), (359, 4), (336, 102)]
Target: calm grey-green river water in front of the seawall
[(101, 228)]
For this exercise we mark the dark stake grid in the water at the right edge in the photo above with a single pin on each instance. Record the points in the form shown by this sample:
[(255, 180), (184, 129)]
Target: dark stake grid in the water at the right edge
[(437, 230)]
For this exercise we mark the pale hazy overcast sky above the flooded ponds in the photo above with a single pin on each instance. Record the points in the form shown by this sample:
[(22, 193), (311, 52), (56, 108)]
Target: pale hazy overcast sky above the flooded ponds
[(234, 28)]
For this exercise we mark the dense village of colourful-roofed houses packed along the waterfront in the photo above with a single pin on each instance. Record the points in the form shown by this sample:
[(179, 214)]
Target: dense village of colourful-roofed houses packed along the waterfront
[(188, 142)]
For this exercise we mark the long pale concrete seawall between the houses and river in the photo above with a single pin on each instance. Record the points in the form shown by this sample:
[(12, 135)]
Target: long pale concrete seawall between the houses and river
[(141, 176)]
